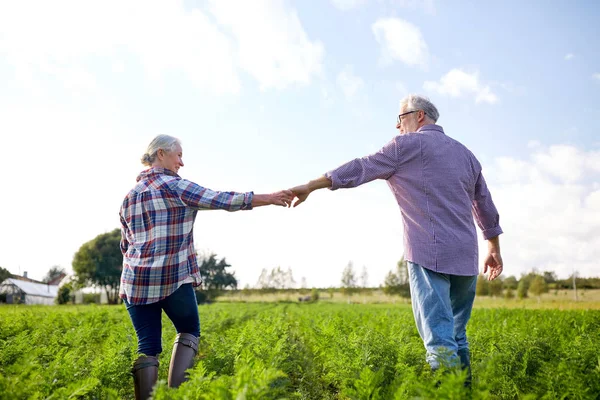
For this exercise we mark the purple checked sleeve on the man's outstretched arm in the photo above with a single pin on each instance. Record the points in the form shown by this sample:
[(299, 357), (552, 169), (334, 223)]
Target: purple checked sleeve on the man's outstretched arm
[(380, 165)]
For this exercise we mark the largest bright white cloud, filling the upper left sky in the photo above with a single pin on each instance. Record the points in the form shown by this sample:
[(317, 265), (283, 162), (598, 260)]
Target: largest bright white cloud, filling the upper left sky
[(268, 41)]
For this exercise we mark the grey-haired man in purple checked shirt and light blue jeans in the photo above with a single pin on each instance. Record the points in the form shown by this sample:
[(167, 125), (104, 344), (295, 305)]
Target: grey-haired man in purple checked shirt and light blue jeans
[(439, 187)]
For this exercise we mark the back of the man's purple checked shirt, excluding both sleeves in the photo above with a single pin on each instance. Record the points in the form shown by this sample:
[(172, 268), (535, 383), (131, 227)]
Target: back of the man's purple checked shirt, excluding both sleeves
[(435, 187)]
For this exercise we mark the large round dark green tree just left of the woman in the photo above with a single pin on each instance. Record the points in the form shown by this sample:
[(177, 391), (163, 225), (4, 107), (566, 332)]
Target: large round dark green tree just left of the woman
[(99, 263)]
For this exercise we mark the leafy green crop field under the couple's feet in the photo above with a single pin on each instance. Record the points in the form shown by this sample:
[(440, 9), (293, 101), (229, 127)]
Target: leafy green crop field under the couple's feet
[(301, 351)]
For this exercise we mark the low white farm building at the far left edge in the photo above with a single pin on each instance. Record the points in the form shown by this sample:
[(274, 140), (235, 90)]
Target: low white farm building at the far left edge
[(20, 291)]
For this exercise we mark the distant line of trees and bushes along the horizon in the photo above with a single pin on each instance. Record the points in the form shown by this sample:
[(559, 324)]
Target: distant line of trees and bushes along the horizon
[(98, 264)]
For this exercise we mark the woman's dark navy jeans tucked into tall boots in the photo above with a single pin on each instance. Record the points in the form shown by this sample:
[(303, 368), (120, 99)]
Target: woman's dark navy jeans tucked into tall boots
[(180, 307)]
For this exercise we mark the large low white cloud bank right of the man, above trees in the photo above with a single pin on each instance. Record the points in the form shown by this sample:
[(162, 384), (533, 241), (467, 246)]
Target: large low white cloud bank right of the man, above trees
[(549, 207)]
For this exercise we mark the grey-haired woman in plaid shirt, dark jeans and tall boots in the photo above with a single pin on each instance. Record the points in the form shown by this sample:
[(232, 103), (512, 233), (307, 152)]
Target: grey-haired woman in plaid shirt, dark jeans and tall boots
[(159, 260)]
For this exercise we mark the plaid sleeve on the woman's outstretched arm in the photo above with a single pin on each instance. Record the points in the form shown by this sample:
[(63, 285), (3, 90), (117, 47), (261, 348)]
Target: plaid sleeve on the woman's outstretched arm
[(201, 198)]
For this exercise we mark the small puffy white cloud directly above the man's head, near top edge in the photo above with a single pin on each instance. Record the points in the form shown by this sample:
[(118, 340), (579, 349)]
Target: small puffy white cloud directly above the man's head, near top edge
[(401, 40)]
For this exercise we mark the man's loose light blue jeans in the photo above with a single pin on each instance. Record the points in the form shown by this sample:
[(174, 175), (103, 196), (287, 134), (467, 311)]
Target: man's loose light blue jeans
[(442, 305)]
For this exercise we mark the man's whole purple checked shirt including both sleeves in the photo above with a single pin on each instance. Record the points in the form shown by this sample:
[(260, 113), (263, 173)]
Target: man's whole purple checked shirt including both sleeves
[(439, 187)]
